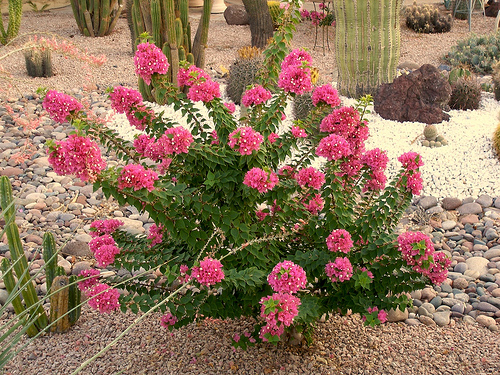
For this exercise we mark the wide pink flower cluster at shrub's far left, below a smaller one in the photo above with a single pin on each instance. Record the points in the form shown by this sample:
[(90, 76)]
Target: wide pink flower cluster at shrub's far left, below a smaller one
[(79, 156)]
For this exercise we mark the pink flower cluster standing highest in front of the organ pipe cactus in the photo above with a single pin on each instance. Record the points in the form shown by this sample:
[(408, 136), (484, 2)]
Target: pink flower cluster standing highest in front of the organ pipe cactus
[(148, 60)]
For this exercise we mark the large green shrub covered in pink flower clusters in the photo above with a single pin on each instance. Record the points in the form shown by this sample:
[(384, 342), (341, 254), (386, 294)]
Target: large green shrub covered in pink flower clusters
[(248, 220)]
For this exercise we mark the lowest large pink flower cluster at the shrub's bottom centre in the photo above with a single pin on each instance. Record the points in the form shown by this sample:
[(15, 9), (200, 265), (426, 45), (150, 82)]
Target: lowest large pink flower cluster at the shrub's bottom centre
[(286, 308)]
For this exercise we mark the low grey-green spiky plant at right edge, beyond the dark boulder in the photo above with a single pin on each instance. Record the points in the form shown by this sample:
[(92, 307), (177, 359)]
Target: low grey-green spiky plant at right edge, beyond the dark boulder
[(478, 52)]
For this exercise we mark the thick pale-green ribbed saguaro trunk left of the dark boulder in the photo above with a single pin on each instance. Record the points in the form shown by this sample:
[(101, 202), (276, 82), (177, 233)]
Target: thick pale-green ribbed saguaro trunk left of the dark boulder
[(367, 44)]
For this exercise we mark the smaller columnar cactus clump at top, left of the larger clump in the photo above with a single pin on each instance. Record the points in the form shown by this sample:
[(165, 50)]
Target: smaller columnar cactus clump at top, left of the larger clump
[(96, 17)]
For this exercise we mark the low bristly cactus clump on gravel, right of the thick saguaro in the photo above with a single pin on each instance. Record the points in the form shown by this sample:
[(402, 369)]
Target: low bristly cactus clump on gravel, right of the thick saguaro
[(426, 19)]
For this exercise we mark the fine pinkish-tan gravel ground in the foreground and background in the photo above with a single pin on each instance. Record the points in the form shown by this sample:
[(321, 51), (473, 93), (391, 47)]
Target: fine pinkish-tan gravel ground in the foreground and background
[(342, 345)]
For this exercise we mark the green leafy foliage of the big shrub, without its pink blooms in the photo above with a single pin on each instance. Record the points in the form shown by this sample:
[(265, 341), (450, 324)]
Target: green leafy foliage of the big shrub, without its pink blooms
[(205, 208)]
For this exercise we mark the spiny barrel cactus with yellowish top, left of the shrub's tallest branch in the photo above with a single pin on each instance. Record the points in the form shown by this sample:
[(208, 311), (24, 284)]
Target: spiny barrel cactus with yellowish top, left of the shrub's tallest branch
[(243, 72)]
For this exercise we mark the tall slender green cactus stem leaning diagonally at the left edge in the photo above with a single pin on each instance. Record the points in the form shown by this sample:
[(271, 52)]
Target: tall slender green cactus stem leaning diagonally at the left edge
[(20, 263)]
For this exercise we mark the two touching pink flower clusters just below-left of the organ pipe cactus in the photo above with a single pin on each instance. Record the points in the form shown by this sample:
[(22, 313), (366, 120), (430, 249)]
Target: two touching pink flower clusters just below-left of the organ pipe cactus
[(129, 102)]
